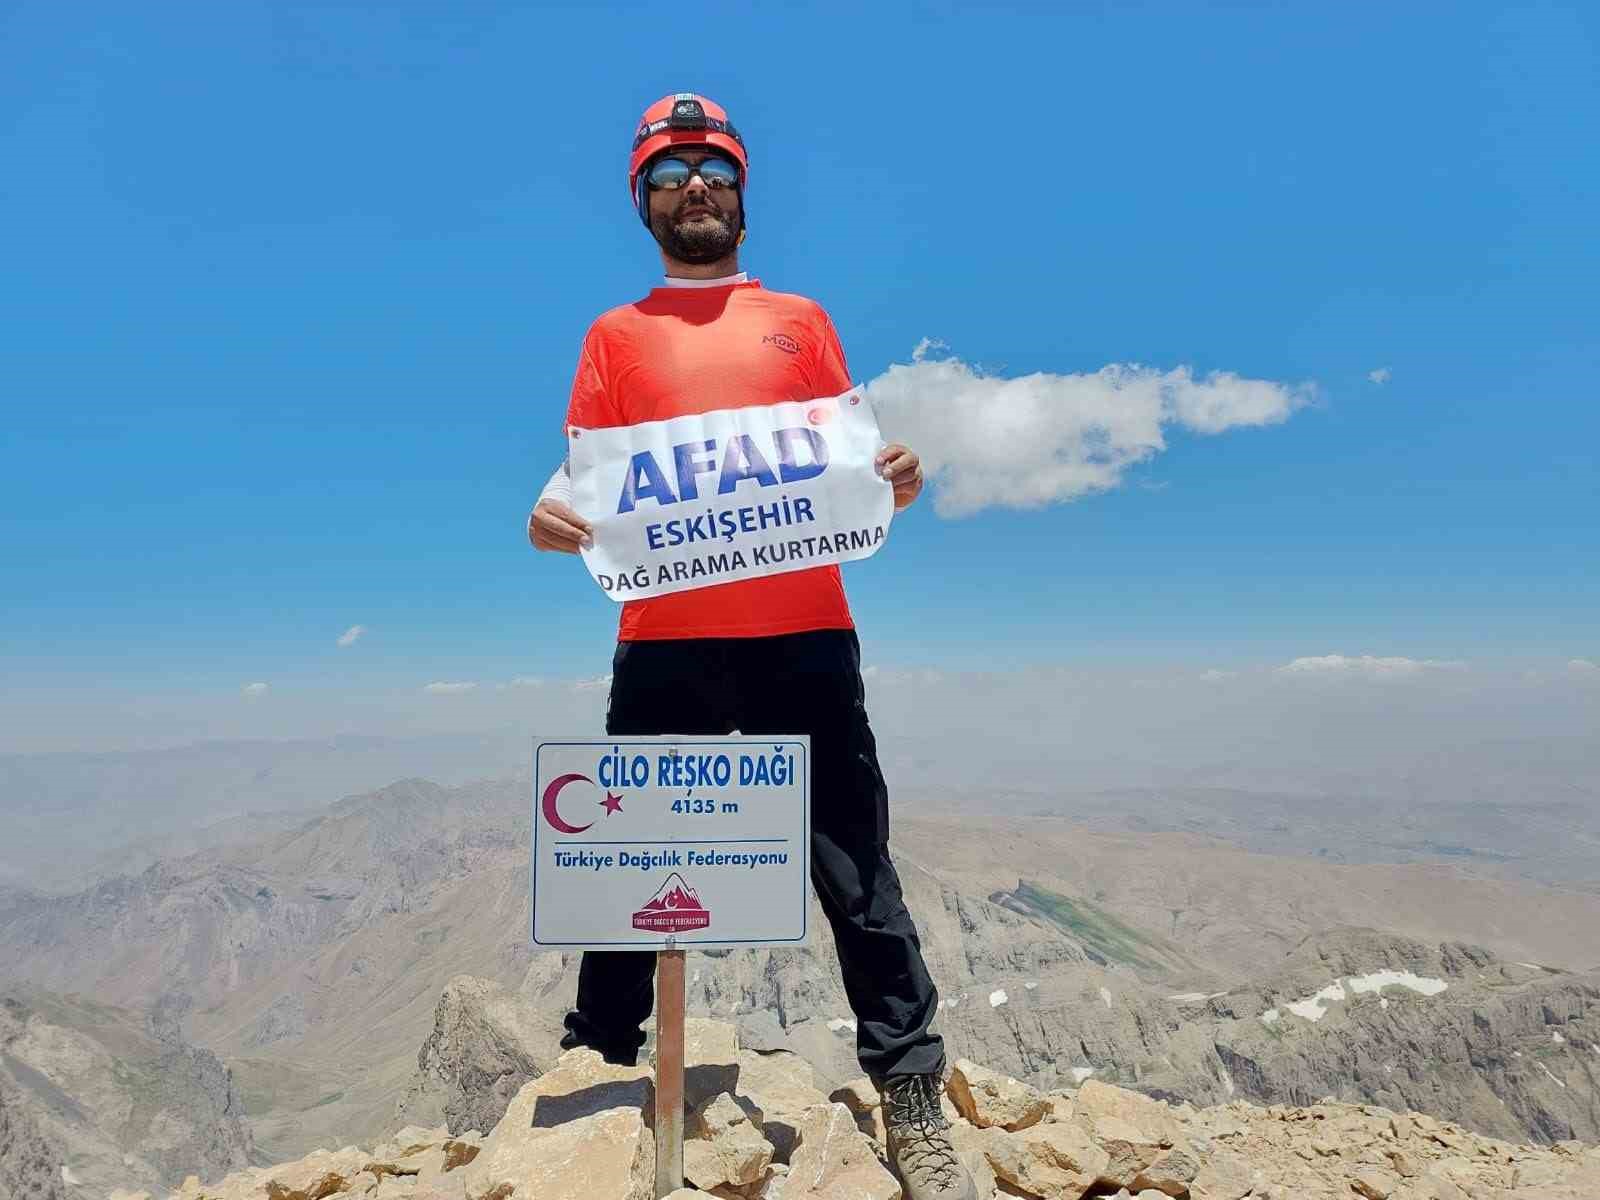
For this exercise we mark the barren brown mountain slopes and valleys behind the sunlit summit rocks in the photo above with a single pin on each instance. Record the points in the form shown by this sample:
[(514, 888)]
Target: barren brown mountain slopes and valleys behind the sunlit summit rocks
[(310, 983)]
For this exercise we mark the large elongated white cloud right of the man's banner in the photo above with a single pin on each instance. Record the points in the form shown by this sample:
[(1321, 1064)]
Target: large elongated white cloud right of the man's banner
[(1044, 439)]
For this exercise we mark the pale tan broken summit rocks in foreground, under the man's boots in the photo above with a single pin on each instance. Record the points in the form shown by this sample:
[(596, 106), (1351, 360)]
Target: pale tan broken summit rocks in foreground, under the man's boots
[(761, 1129)]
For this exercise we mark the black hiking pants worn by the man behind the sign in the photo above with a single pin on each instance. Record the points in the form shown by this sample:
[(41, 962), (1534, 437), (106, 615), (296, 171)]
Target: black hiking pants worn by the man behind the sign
[(769, 686)]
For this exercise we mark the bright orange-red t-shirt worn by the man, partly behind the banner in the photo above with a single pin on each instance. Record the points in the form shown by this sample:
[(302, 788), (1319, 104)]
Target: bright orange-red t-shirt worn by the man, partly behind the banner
[(695, 350)]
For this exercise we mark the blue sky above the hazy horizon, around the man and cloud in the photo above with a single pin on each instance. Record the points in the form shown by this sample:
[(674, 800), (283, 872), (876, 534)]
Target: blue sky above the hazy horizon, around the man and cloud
[(294, 295)]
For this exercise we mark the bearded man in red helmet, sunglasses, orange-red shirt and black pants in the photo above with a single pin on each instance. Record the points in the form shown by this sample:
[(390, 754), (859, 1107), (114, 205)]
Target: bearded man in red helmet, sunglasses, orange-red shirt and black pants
[(774, 655)]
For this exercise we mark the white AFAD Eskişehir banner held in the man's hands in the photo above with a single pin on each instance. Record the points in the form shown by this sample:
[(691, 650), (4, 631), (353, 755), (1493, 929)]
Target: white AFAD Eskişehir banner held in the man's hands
[(730, 495)]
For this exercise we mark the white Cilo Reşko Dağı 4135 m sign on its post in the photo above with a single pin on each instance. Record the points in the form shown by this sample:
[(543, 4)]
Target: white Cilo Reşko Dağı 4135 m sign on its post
[(668, 844)]
